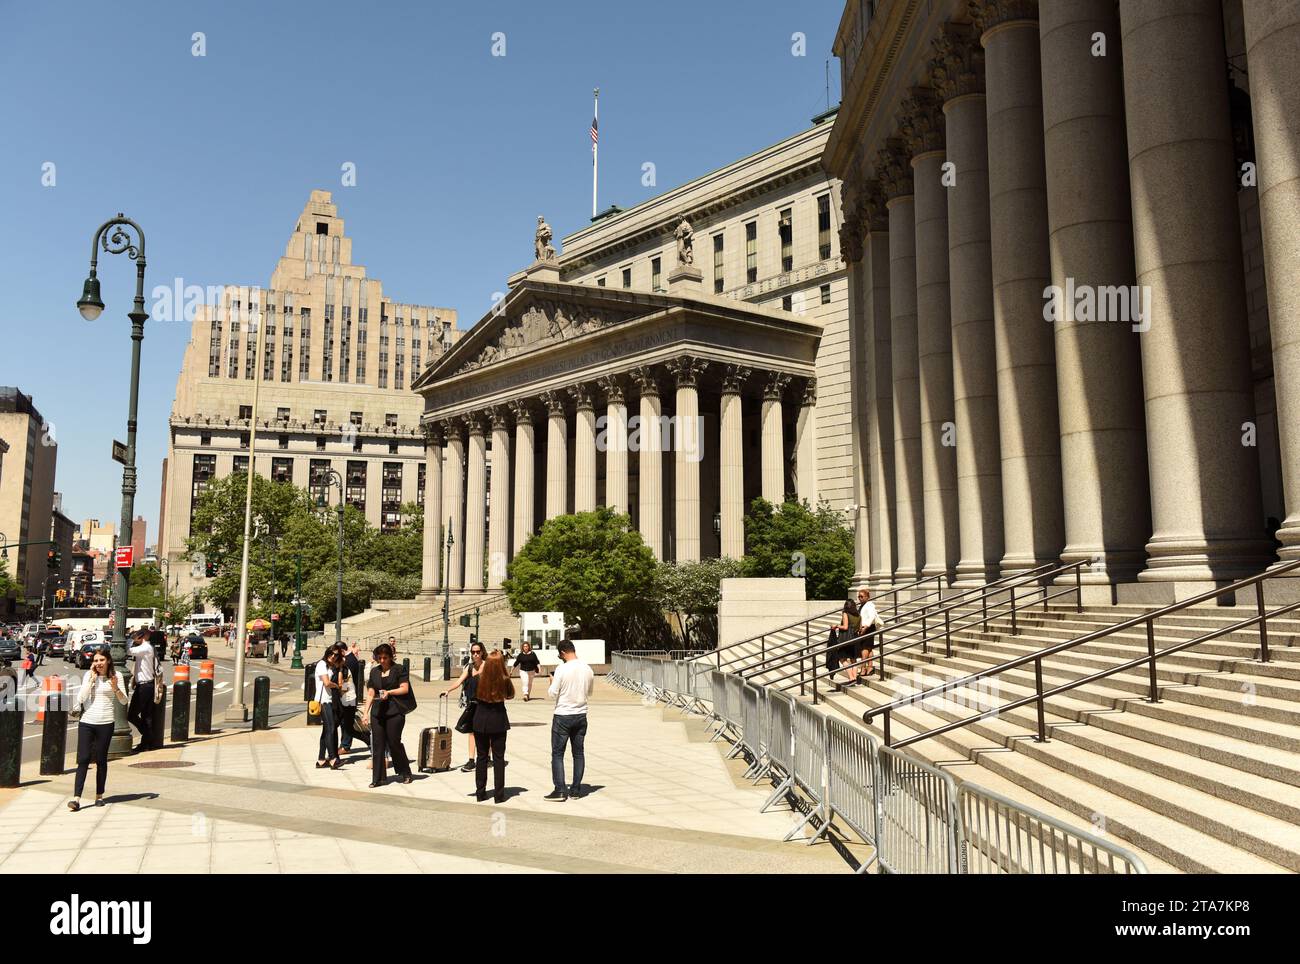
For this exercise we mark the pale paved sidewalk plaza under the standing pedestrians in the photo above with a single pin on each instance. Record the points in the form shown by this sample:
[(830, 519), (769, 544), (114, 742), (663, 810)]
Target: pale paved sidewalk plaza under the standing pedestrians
[(661, 800)]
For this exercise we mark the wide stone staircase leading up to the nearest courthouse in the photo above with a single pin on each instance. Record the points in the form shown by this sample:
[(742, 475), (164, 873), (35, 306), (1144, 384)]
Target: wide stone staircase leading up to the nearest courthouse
[(1207, 780)]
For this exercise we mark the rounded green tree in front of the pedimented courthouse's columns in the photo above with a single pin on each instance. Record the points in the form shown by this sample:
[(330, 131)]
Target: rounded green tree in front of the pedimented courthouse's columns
[(593, 567)]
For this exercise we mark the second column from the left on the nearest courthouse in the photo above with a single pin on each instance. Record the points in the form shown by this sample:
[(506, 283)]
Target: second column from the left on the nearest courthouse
[(876, 260)]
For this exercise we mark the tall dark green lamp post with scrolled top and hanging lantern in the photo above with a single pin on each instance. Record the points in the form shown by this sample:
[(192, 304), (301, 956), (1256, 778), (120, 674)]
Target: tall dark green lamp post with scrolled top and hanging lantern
[(92, 307)]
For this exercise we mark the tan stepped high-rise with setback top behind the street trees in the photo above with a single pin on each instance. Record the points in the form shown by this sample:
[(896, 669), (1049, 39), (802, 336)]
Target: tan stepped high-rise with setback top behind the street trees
[(339, 364)]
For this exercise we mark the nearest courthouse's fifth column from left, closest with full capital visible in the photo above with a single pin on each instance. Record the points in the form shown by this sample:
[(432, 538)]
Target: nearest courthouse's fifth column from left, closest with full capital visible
[(957, 73)]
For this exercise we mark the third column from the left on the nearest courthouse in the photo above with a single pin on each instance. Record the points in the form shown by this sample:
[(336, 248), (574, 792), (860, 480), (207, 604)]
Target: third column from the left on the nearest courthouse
[(895, 170)]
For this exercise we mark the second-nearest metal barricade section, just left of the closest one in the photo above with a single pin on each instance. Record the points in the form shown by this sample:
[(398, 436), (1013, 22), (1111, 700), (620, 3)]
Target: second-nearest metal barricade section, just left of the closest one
[(920, 826)]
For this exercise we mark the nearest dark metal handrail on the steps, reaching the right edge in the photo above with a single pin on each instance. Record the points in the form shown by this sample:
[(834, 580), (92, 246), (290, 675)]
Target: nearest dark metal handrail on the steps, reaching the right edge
[(1150, 659)]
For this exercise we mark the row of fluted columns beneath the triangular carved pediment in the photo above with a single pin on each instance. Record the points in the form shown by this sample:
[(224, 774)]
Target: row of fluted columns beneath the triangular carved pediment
[(457, 475)]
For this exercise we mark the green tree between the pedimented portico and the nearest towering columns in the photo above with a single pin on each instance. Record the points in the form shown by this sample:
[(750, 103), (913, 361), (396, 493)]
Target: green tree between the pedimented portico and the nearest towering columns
[(799, 541)]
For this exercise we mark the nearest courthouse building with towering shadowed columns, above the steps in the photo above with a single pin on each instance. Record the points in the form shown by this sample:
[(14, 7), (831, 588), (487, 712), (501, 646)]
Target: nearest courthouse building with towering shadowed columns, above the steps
[(1141, 157)]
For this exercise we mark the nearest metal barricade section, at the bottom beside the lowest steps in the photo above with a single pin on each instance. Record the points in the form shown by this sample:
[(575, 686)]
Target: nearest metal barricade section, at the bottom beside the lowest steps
[(1002, 836)]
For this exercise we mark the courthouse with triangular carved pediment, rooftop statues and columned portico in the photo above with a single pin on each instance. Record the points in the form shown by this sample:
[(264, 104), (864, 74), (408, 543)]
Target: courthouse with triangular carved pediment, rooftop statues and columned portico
[(716, 314)]
